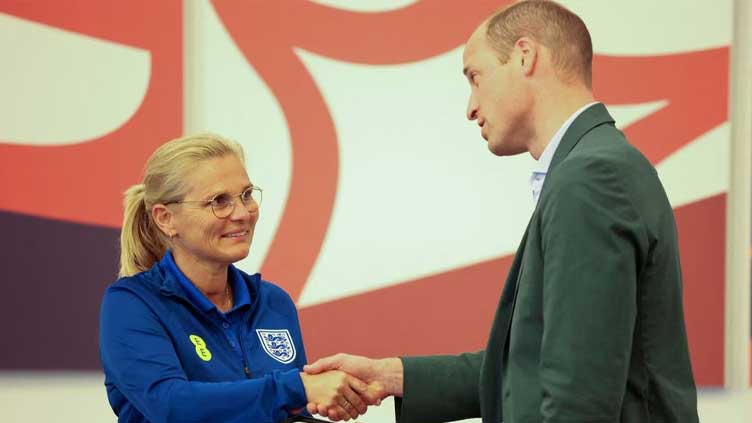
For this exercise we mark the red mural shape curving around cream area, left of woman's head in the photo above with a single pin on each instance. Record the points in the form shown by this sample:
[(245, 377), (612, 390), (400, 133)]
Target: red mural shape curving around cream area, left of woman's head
[(84, 182)]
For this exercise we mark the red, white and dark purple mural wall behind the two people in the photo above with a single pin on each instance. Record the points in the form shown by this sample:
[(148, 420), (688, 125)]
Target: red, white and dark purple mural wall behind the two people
[(384, 215)]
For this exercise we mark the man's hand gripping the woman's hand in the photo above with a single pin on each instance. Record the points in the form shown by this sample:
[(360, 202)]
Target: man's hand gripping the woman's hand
[(383, 378)]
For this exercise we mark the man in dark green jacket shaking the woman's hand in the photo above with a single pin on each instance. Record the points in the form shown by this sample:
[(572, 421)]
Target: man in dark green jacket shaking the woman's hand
[(590, 326)]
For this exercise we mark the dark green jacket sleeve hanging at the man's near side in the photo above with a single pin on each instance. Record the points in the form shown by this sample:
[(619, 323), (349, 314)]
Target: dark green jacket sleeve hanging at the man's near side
[(593, 245)]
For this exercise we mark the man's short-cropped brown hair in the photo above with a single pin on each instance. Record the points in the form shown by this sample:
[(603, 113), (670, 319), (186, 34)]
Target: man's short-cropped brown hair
[(550, 24)]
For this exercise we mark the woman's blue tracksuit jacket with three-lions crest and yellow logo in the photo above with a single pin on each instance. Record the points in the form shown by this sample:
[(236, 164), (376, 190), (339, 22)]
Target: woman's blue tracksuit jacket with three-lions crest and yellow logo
[(170, 356)]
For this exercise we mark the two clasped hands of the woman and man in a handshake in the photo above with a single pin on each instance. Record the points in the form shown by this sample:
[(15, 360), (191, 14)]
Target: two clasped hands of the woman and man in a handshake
[(342, 386)]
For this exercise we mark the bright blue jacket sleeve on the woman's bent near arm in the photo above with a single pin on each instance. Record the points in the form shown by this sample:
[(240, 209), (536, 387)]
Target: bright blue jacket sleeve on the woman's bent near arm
[(139, 358)]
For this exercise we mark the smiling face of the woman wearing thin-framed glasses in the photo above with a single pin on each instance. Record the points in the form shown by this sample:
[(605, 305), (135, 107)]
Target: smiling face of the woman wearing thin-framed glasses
[(200, 235)]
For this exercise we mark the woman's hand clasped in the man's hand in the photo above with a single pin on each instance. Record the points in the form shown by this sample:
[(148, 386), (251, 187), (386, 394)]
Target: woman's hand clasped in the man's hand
[(336, 393)]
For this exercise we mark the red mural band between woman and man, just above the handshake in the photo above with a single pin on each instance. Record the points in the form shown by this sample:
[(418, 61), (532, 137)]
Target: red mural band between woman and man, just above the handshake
[(446, 313)]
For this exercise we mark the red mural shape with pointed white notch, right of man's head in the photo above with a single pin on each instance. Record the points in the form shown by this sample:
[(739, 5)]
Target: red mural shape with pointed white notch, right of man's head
[(694, 84)]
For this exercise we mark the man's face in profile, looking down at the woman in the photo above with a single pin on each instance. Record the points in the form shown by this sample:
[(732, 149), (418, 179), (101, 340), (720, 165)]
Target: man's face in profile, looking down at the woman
[(500, 99)]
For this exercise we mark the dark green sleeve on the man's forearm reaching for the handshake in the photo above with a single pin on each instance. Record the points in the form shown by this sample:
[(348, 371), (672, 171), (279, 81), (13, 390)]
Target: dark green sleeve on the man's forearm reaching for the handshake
[(439, 388)]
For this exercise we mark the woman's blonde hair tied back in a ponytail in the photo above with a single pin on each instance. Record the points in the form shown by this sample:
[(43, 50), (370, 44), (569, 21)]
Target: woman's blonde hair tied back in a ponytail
[(142, 243)]
